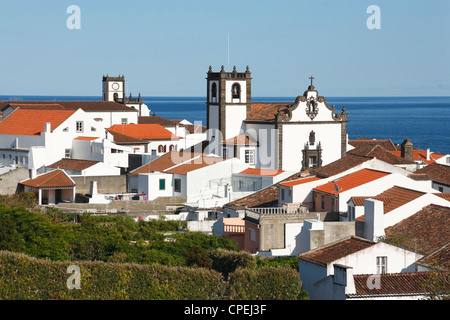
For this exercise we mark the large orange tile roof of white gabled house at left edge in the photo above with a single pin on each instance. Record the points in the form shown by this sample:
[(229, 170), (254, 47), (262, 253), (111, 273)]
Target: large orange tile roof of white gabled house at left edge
[(32, 121)]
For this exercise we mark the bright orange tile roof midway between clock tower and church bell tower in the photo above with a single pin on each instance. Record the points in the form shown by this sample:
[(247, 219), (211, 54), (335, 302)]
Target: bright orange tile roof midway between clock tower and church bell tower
[(143, 131)]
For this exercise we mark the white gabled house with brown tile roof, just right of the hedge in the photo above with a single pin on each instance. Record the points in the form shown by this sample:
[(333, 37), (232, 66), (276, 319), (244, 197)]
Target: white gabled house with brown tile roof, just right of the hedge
[(337, 263)]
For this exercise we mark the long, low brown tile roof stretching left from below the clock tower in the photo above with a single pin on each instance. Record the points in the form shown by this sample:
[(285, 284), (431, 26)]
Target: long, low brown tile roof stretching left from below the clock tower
[(88, 106)]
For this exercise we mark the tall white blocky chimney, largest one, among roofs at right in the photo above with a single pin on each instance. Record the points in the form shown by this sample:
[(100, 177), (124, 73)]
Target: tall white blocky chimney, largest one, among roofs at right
[(373, 219)]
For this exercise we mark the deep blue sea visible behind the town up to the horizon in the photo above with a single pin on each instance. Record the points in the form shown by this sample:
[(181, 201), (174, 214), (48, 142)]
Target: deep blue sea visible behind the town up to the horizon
[(424, 120)]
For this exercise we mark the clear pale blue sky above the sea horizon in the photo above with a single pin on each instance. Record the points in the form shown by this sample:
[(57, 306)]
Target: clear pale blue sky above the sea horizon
[(164, 47)]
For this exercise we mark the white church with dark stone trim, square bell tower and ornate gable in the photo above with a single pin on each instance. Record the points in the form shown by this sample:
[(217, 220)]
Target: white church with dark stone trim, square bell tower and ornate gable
[(291, 136)]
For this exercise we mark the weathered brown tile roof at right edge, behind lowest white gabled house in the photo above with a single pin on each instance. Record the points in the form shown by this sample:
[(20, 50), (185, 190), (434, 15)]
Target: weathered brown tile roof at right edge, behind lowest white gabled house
[(424, 231)]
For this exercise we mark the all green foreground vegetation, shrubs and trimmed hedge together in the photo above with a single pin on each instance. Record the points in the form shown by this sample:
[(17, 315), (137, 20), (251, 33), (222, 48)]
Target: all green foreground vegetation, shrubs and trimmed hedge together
[(43, 254)]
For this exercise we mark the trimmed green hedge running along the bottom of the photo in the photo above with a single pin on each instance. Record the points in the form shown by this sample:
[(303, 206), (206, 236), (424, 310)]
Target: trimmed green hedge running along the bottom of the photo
[(27, 278)]
